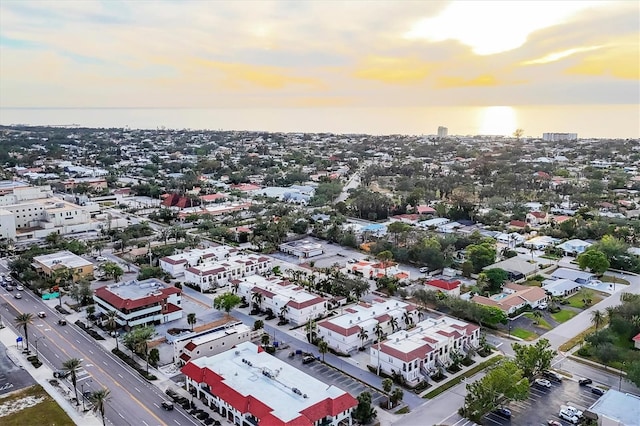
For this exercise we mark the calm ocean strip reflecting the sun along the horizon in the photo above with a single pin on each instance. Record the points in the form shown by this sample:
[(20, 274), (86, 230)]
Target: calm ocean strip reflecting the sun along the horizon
[(588, 121)]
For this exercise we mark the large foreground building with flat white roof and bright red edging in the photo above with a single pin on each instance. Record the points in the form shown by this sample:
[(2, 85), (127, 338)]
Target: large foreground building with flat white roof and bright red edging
[(249, 387)]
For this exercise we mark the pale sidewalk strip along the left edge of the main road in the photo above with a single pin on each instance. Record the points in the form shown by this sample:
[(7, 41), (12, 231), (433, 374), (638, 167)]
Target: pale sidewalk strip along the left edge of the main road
[(42, 375)]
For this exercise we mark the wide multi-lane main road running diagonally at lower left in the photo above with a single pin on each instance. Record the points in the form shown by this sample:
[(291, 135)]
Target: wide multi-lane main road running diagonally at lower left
[(130, 393)]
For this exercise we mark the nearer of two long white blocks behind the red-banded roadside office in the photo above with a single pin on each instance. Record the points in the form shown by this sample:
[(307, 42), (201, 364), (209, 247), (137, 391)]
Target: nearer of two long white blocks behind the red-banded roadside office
[(211, 274)]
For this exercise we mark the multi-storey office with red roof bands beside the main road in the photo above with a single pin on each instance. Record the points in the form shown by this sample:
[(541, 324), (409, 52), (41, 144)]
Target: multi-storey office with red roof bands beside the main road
[(139, 303)]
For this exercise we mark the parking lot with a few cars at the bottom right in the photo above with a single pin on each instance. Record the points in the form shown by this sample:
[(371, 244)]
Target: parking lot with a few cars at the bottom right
[(544, 404)]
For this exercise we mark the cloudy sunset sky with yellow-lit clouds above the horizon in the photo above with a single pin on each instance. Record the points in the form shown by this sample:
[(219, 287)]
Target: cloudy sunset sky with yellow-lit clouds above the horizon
[(291, 54)]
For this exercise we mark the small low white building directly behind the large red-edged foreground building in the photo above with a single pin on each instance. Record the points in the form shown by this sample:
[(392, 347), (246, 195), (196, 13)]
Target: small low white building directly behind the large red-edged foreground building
[(211, 342)]
